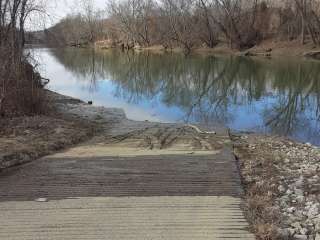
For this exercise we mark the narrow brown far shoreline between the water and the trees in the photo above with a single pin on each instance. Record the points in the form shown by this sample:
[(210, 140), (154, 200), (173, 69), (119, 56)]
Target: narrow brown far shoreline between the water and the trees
[(265, 50)]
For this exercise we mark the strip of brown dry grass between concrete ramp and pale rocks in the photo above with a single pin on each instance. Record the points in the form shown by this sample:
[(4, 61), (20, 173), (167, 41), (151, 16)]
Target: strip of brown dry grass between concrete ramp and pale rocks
[(259, 176)]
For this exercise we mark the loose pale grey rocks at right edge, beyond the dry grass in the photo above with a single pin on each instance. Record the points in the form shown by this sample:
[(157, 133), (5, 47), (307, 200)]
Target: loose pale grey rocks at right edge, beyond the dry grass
[(299, 190)]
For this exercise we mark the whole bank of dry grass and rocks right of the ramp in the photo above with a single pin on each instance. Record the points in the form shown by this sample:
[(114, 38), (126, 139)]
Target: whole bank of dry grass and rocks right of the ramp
[(282, 184)]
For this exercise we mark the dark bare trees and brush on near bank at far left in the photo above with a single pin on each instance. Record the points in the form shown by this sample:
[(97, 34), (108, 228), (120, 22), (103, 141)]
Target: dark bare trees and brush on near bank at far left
[(19, 83)]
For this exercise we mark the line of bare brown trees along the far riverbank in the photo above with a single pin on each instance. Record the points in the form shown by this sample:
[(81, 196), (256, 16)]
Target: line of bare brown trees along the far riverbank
[(192, 23)]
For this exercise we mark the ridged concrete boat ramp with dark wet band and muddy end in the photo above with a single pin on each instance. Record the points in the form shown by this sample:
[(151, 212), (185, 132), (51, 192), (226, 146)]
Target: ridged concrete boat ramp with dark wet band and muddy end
[(144, 181)]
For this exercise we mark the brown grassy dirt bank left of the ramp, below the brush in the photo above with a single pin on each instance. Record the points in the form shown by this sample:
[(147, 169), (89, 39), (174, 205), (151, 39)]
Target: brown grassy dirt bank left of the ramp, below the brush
[(23, 139)]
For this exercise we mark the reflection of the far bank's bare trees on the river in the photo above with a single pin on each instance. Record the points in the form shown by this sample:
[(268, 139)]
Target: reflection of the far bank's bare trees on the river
[(210, 89)]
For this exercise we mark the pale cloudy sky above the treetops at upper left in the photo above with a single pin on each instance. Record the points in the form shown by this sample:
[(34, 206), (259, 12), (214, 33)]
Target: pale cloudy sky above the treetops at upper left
[(56, 10)]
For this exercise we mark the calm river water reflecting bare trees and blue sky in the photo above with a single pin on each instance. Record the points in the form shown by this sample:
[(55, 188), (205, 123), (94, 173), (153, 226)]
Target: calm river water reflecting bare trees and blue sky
[(271, 96)]
